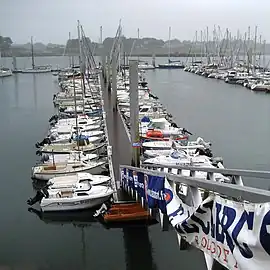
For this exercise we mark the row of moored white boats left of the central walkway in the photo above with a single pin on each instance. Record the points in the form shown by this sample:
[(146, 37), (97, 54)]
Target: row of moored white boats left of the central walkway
[(72, 173)]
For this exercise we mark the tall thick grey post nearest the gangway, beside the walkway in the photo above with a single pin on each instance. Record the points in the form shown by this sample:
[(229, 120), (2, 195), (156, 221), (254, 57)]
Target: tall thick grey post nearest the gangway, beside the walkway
[(134, 112)]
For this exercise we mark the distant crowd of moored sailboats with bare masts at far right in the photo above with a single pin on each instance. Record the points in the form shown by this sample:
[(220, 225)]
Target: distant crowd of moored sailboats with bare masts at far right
[(236, 59)]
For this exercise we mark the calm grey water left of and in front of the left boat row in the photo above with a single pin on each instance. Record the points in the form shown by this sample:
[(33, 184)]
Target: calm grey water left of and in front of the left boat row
[(54, 242)]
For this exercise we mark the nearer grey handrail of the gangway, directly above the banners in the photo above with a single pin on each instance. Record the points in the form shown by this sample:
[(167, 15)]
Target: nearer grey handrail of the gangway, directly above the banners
[(243, 193)]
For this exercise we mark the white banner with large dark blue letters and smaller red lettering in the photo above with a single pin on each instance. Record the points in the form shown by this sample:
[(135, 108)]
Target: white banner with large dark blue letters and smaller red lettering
[(236, 234)]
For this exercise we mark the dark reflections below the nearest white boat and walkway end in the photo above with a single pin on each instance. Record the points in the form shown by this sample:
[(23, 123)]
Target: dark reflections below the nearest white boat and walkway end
[(135, 235)]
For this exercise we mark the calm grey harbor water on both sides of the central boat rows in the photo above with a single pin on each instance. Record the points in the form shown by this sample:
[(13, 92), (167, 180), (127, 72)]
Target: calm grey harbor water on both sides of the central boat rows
[(233, 118)]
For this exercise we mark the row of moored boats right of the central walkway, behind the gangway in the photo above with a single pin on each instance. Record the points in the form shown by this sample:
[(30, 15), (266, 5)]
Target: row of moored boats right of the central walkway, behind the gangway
[(163, 143)]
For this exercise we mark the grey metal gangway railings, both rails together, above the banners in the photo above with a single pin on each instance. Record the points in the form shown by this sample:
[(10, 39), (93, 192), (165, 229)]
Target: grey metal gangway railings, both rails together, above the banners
[(235, 189)]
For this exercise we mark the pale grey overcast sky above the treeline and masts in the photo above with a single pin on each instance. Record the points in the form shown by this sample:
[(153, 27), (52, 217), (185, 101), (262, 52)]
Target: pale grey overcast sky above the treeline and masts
[(51, 20)]
